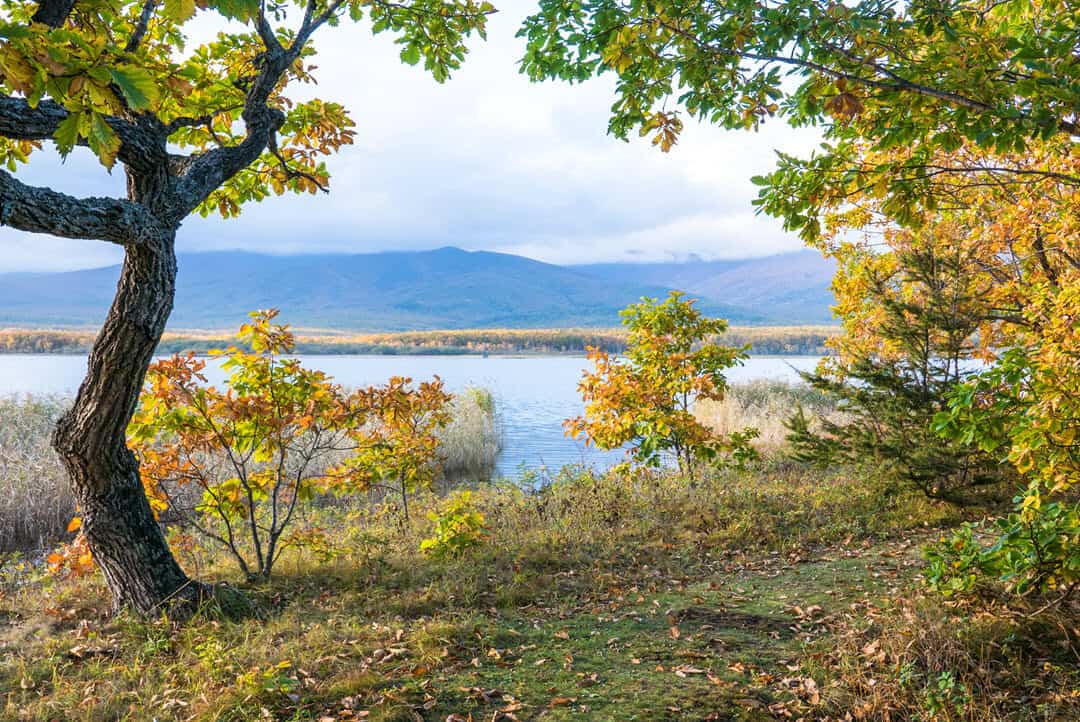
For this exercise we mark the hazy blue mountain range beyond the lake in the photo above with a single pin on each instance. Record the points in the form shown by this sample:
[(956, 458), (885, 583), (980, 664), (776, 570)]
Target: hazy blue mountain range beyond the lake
[(443, 289)]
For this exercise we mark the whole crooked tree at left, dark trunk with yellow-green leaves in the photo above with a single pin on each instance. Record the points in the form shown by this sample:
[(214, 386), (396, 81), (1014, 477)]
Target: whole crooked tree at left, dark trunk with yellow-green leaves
[(208, 131)]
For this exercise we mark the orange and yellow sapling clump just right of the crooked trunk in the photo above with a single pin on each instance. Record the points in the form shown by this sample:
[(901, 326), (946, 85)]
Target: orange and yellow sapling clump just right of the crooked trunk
[(277, 437)]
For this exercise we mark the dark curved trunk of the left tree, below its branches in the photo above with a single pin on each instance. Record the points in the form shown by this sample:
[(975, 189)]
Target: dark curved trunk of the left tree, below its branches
[(126, 540)]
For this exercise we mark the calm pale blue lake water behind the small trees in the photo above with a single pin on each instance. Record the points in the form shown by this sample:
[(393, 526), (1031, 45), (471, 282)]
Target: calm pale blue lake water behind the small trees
[(534, 394)]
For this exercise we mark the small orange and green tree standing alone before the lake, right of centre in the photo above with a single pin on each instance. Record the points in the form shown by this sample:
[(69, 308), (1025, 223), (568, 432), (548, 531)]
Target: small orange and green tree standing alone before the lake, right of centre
[(647, 400)]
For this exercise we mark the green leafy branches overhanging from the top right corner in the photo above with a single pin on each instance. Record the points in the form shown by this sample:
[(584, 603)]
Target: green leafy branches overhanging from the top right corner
[(925, 77)]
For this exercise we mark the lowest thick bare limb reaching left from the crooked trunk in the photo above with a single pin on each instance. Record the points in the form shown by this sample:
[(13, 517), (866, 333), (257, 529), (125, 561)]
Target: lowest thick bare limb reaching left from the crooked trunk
[(44, 211)]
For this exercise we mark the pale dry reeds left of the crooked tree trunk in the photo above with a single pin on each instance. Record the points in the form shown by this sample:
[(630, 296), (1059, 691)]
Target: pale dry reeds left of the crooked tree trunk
[(36, 502)]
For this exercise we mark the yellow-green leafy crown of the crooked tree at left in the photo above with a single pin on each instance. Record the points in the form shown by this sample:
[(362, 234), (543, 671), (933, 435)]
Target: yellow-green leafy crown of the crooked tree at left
[(121, 79)]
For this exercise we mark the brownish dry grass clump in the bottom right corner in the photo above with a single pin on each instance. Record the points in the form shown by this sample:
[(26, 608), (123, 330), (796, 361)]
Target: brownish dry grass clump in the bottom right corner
[(917, 658)]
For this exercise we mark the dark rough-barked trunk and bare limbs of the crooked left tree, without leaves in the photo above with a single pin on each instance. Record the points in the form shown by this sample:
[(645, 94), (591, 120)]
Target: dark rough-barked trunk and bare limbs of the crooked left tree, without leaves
[(163, 189)]
